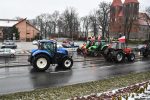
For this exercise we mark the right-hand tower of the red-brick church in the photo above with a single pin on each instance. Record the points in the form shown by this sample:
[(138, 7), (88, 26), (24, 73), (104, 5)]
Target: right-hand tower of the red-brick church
[(131, 12)]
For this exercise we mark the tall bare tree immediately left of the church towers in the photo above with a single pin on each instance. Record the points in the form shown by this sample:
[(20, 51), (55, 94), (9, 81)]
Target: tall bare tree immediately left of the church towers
[(103, 17)]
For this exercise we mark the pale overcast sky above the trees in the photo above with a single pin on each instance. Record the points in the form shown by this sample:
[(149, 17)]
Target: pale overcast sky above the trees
[(31, 8)]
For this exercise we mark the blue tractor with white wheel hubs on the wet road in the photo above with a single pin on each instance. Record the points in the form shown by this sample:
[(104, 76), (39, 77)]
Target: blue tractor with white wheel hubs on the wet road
[(48, 53)]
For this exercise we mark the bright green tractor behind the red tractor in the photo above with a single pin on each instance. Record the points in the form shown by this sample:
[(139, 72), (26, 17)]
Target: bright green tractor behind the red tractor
[(98, 48)]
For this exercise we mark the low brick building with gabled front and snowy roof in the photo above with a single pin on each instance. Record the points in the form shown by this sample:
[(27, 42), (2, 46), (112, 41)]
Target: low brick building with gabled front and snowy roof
[(27, 32)]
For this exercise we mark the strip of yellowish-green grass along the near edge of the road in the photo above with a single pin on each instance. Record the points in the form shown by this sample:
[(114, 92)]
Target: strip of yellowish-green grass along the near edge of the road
[(65, 92)]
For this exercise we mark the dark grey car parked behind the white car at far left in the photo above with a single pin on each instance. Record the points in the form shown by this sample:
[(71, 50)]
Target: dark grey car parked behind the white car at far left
[(9, 44)]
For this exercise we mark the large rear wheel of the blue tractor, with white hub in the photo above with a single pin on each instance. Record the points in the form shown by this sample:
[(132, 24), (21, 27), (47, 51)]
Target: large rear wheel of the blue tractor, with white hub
[(41, 62)]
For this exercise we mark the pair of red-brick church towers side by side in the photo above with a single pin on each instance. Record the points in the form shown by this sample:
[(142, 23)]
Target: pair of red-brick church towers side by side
[(120, 13)]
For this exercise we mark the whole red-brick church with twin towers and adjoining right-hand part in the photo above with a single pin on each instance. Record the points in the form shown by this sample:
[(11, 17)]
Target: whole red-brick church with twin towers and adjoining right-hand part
[(125, 18)]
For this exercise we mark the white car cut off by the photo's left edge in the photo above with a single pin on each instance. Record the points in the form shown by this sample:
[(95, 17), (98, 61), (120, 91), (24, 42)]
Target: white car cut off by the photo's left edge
[(7, 52)]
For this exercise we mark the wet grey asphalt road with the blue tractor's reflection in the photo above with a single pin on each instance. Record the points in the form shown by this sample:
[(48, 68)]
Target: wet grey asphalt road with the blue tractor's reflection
[(25, 78)]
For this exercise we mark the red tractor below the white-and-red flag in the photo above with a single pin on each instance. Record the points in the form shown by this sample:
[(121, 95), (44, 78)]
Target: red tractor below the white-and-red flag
[(118, 51)]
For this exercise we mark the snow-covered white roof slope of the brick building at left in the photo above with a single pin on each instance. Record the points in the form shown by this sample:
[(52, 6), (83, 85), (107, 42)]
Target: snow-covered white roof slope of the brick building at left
[(7, 22)]
